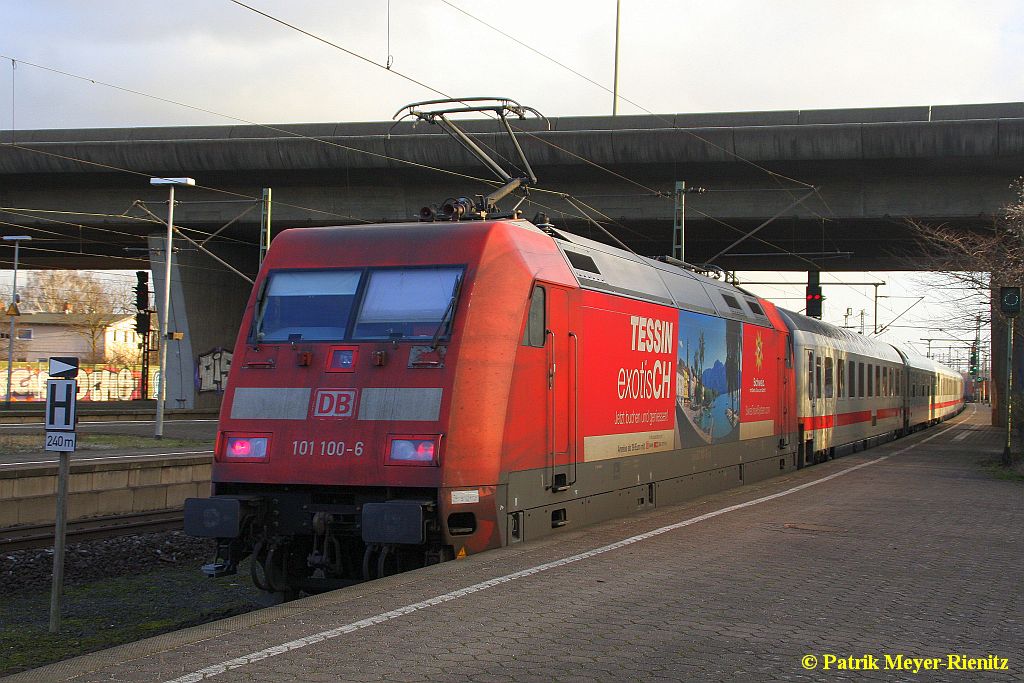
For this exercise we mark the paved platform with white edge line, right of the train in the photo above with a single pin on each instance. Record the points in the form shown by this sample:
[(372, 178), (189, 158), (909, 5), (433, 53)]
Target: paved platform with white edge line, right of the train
[(911, 549)]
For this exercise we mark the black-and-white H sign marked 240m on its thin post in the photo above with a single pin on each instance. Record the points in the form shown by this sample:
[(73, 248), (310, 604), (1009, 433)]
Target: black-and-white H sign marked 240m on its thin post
[(61, 396)]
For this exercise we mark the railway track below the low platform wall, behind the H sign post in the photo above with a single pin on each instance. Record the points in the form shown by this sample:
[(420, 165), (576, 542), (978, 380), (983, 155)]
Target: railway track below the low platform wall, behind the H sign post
[(41, 536)]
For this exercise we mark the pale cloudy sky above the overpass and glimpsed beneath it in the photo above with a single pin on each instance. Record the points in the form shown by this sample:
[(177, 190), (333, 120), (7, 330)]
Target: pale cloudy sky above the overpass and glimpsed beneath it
[(679, 56)]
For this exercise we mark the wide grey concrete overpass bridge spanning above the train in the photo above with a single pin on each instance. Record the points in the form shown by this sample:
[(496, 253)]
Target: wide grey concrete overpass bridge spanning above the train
[(872, 169)]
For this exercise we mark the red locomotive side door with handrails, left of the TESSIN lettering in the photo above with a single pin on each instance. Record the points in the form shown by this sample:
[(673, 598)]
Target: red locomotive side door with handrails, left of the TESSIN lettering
[(564, 352)]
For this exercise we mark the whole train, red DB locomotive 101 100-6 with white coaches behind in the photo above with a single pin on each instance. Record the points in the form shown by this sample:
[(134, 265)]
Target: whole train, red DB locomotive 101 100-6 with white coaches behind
[(403, 395)]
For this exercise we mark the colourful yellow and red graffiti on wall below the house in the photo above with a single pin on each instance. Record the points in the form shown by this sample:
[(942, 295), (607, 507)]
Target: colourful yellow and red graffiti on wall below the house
[(96, 382)]
